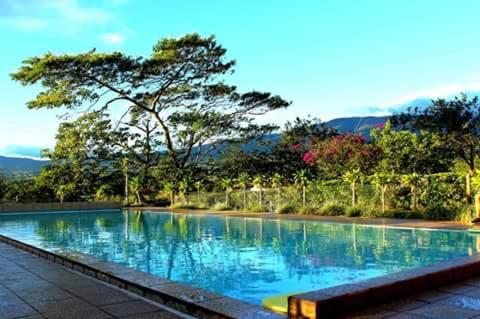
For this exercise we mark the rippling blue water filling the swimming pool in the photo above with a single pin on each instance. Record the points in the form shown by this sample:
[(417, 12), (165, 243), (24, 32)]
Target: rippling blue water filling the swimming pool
[(244, 258)]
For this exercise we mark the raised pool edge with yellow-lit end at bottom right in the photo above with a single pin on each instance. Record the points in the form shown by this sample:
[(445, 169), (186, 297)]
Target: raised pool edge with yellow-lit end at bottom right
[(340, 300)]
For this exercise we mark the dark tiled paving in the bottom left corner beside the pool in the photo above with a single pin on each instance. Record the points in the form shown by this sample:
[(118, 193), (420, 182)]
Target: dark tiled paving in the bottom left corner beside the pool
[(32, 287)]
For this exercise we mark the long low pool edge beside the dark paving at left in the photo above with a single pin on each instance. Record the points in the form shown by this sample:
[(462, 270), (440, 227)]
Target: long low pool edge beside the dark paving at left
[(195, 302)]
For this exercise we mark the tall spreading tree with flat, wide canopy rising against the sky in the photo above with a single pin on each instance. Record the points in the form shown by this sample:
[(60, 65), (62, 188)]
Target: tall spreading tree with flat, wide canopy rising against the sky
[(181, 86)]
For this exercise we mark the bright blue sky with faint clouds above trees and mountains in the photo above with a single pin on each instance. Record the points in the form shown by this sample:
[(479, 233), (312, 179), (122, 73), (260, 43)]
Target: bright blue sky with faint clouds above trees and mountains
[(331, 58)]
